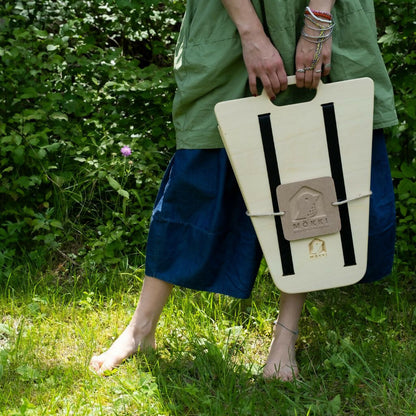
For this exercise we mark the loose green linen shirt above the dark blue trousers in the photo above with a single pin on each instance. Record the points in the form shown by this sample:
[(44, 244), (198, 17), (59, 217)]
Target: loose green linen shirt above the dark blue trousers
[(209, 66)]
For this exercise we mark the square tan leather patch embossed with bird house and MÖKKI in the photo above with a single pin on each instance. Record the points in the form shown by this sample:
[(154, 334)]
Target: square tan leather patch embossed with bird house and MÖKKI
[(308, 209)]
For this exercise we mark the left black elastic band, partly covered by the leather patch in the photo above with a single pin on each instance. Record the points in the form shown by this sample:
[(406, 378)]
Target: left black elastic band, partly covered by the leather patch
[(274, 182)]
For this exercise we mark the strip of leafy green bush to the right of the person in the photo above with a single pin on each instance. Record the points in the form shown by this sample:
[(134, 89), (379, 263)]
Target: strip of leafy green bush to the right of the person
[(397, 28)]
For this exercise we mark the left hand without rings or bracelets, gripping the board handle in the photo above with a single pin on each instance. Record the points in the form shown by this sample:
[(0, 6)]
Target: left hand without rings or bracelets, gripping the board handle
[(263, 61)]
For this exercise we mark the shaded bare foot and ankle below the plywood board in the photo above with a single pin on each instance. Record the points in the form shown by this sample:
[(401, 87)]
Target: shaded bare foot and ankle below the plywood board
[(281, 363)]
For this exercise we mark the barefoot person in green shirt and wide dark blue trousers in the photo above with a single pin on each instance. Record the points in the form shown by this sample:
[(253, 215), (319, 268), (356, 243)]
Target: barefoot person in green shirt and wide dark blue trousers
[(200, 236)]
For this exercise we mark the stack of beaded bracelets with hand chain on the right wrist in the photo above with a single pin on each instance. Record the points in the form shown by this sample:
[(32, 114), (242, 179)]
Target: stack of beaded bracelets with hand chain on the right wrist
[(320, 23)]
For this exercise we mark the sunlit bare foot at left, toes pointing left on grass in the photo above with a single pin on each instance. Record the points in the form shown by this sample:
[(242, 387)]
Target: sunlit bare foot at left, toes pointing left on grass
[(123, 347)]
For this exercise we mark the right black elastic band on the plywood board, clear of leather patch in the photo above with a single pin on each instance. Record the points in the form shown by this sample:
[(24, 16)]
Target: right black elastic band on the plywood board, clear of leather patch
[(338, 176)]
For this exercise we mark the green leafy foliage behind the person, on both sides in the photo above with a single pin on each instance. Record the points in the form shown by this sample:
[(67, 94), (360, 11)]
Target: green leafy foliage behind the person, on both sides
[(80, 79)]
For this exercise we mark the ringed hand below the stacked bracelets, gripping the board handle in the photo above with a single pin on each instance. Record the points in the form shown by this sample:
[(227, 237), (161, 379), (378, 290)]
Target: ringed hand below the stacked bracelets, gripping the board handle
[(306, 76)]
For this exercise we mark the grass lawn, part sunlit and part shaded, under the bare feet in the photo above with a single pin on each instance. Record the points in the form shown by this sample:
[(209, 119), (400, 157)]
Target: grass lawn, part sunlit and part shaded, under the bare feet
[(356, 350)]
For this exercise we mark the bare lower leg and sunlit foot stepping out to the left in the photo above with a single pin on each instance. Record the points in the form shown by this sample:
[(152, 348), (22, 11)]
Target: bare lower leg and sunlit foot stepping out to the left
[(140, 332)]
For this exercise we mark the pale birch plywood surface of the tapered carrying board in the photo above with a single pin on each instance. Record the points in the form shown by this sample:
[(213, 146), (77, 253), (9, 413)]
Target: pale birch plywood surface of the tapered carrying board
[(302, 154)]
